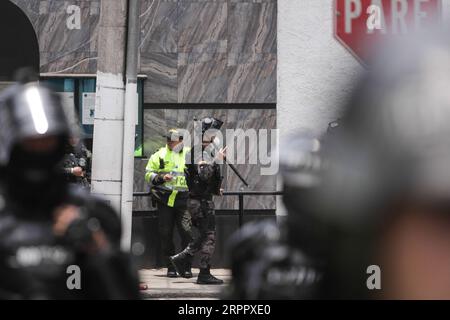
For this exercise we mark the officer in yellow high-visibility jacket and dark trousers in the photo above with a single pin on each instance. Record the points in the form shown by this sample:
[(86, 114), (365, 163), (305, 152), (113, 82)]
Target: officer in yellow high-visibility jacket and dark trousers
[(165, 174)]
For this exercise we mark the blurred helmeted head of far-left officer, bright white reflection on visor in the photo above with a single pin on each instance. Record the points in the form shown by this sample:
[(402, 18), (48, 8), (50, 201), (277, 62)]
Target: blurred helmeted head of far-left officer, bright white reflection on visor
[(33, 132)]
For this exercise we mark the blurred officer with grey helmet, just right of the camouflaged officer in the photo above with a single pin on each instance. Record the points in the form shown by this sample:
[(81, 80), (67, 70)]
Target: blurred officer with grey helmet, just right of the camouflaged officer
[(267, 260)]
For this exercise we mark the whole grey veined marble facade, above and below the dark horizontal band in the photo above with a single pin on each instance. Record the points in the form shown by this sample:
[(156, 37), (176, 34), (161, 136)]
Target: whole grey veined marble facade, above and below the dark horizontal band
[(194, 53)]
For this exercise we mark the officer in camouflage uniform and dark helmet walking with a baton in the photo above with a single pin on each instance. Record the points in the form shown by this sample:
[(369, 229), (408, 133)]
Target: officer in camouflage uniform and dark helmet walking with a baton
[(204, 180)]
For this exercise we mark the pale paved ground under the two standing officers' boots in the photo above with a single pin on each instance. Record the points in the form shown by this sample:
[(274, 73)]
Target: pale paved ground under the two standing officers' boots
[(161, 287)]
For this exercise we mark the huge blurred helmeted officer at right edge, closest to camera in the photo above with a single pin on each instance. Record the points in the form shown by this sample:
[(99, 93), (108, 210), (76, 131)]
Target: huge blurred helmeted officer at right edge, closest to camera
[(384, 201)]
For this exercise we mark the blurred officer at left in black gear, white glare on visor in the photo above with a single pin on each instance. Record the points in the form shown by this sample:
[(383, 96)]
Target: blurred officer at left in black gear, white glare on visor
[(55, 242)]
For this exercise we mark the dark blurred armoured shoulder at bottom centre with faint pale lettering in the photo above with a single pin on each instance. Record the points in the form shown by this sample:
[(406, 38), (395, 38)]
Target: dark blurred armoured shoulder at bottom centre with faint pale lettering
[(264, 267)]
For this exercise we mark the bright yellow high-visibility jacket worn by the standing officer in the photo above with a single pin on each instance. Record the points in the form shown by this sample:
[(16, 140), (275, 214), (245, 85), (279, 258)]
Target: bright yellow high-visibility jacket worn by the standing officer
[(166, 161)]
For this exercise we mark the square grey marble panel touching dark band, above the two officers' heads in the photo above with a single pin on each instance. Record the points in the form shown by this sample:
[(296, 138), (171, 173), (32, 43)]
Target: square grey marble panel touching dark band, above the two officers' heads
[(204, 81)]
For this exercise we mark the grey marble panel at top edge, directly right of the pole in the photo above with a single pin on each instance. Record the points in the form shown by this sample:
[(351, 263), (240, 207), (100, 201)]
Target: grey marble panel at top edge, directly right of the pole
[(159, 29)]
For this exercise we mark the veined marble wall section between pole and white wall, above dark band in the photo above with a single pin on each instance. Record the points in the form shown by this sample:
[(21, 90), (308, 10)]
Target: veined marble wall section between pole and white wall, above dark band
[(209, 51)]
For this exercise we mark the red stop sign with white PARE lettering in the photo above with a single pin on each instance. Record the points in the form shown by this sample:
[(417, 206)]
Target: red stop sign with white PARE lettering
[(361, 24)]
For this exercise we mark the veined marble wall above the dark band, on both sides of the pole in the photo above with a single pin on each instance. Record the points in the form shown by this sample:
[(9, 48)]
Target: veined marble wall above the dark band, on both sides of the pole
[(192, 51)]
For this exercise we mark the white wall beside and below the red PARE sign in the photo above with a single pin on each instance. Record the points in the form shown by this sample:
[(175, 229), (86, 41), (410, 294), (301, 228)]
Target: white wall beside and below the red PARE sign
[(315, 72)]
